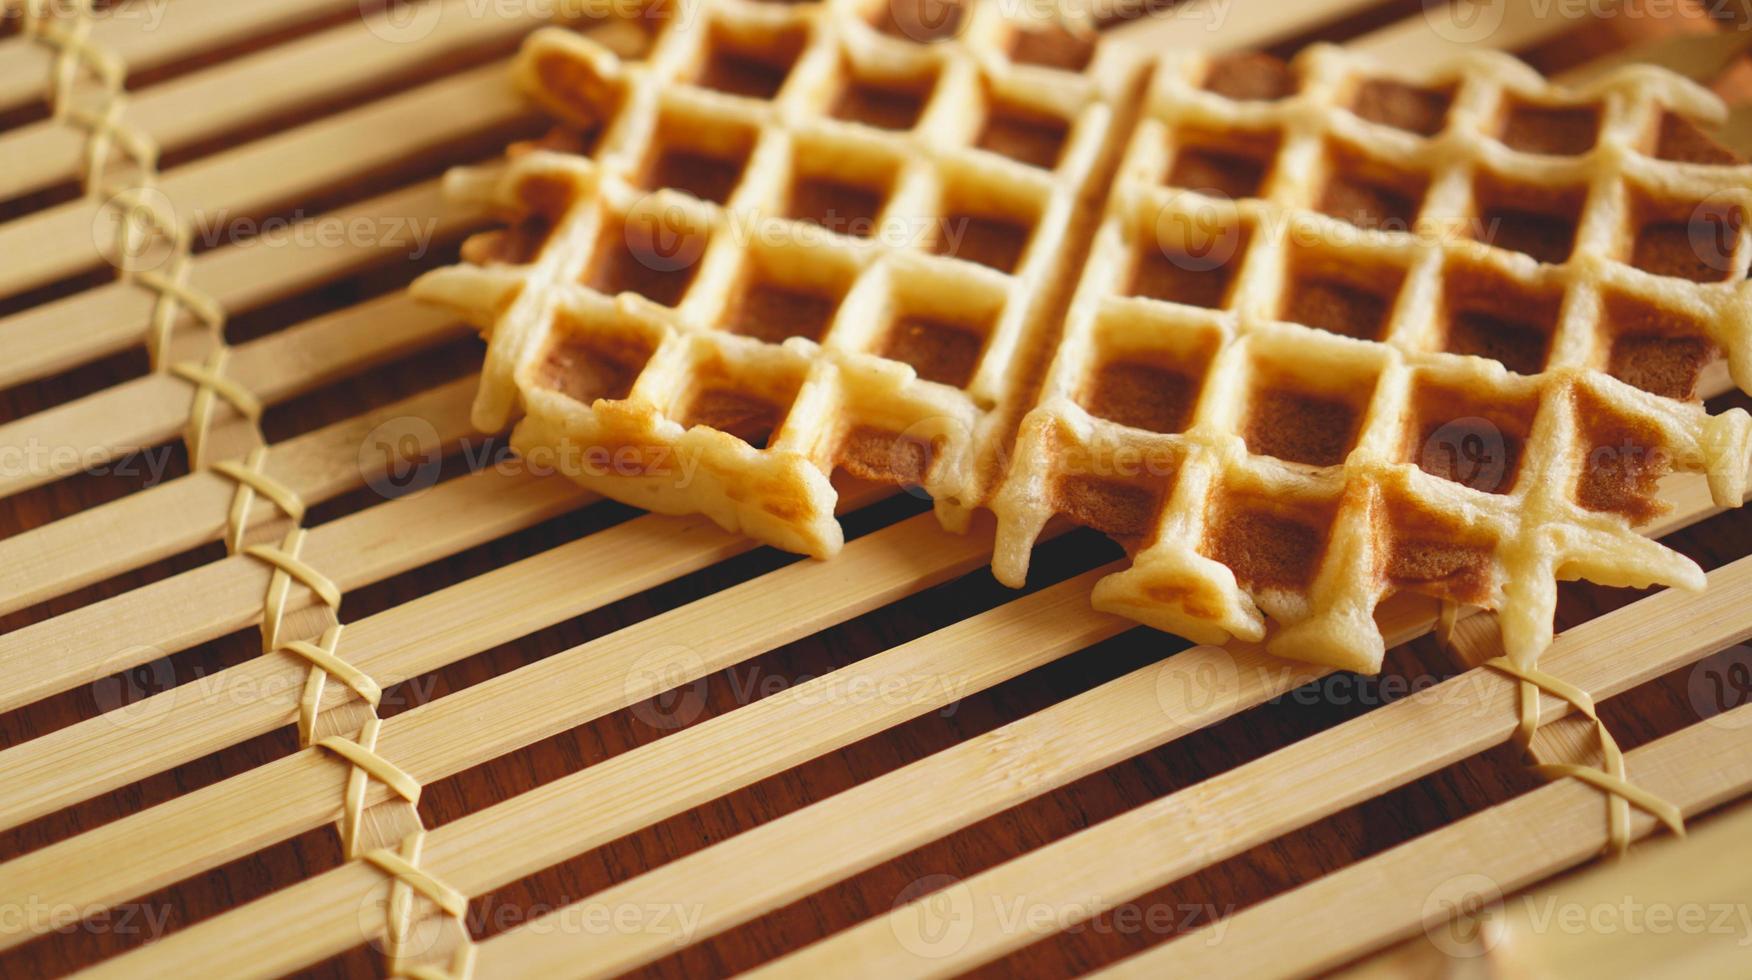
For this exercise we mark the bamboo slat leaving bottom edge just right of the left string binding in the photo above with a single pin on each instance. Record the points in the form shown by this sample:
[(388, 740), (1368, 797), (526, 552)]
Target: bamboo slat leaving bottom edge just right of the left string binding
[(922, 806)]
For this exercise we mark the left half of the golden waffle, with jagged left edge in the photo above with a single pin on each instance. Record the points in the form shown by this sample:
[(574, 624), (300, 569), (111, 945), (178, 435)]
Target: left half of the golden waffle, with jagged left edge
[(786, 246)]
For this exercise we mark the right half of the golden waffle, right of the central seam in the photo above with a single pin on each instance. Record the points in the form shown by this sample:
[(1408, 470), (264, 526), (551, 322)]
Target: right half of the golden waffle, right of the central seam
[(1345, 336)]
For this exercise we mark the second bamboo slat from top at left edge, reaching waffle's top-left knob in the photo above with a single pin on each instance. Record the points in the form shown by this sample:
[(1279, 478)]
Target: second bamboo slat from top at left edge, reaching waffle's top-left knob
[(327, 66)]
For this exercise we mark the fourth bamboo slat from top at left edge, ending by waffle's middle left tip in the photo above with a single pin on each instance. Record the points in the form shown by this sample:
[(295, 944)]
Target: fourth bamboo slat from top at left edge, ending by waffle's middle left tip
[(243, 278)]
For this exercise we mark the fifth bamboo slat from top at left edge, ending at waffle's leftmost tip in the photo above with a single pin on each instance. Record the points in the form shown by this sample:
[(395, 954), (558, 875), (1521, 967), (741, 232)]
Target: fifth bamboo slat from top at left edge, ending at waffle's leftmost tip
[(150, 411)]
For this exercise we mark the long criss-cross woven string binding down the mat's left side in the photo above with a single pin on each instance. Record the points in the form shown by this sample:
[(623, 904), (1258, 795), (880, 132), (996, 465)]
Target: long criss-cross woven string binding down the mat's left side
[(87, 94)]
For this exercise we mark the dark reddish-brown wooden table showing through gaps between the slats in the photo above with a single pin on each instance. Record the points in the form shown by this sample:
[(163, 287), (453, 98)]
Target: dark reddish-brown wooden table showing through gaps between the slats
[(1438, 800)]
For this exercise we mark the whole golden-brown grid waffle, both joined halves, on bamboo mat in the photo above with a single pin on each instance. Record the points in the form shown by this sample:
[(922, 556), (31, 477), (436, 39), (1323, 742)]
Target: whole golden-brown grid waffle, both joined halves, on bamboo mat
[(1336, 332)]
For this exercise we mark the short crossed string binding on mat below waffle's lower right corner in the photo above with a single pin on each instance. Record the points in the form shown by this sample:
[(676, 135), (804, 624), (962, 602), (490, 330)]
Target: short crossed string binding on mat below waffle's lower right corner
[(1611, 779)]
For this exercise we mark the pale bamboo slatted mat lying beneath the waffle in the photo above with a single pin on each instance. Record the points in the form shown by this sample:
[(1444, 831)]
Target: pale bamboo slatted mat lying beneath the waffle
[(742, 753)]
